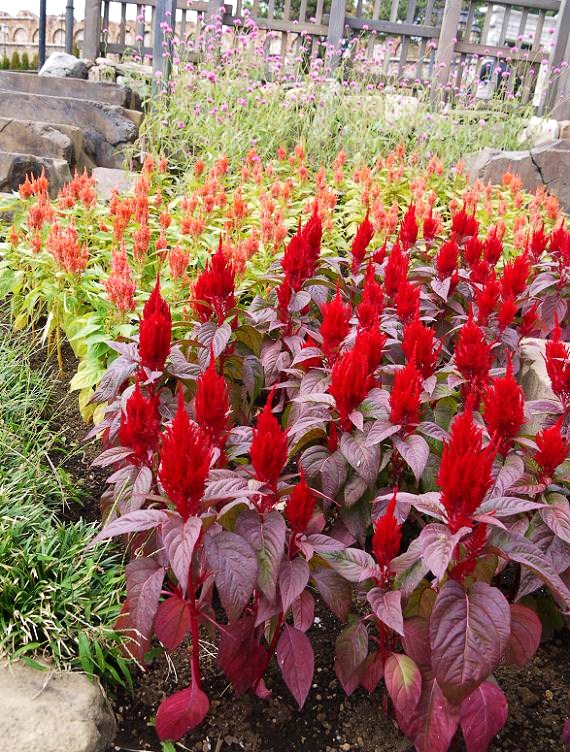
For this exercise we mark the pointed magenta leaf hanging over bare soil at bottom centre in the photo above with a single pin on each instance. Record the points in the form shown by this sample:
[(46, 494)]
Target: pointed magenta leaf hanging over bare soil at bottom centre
[(297, 662)]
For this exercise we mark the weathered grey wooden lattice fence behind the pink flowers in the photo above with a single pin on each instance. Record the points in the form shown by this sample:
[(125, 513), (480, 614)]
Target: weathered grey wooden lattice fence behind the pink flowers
[(521, 47)]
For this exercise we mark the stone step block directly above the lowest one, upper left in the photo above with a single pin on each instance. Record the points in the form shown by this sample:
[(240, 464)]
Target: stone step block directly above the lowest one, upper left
[(45, 140)]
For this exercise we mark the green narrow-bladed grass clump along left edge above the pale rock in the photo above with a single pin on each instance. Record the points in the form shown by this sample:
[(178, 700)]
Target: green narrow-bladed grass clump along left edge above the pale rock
[(56, 598)]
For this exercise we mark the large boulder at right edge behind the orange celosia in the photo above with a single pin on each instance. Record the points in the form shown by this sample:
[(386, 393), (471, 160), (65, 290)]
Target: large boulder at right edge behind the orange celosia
[(547, 165)]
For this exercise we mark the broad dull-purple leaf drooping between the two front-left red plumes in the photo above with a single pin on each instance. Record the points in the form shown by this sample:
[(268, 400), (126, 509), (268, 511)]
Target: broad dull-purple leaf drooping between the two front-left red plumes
[(234, 564)]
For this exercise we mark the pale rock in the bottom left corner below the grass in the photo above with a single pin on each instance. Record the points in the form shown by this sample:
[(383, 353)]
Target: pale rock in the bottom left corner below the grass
[(52, 711)]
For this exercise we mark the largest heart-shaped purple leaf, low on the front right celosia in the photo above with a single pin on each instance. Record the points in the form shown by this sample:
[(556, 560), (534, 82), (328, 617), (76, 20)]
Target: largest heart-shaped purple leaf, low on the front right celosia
[(468, 633)]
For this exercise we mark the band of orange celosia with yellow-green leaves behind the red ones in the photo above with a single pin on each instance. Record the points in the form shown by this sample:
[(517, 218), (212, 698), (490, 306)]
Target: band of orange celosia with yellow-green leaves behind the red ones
[(81, 267)]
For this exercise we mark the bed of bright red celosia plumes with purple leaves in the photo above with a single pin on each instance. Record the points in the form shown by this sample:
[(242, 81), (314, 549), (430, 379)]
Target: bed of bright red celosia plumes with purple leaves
[(349, 428)]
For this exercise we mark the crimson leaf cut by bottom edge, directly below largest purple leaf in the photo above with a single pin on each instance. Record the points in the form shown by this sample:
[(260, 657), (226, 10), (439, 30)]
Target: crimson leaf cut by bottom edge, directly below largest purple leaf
[(483, 714)]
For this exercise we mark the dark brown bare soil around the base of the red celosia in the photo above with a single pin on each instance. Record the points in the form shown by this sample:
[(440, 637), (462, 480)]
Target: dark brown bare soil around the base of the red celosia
[(538, 695)]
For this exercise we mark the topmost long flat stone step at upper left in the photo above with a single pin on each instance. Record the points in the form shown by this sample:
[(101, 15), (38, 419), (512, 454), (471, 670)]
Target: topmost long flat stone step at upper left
[(77, 88)]
